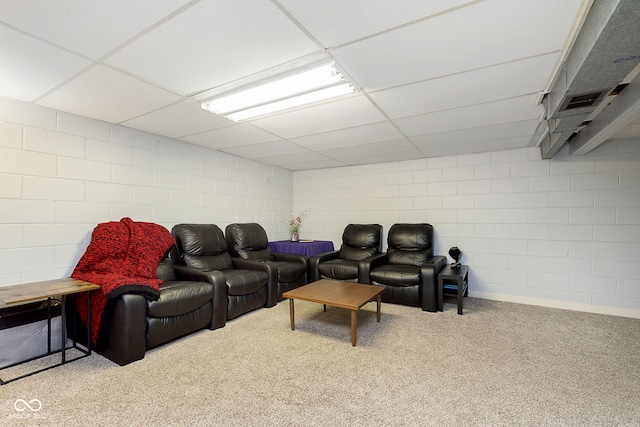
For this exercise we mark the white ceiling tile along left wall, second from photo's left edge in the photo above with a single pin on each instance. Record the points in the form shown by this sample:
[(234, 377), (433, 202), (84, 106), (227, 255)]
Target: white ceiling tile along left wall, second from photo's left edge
[(107, 95)]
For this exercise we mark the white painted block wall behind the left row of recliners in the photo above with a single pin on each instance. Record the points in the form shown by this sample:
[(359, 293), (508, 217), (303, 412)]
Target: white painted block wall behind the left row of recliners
[(61, 175)]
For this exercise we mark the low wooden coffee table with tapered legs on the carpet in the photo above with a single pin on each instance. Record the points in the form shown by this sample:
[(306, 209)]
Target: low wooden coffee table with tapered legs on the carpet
[(335, 293)]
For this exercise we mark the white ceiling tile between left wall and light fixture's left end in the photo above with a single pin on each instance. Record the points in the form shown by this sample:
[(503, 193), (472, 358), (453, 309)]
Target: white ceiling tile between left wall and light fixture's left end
[(182, 119)]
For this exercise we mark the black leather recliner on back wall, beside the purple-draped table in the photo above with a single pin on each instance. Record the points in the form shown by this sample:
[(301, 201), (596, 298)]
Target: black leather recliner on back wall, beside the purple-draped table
[(361, 244)]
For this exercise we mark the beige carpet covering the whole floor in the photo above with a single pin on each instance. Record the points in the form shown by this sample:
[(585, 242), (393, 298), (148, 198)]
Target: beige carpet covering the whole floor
[(498, 364)]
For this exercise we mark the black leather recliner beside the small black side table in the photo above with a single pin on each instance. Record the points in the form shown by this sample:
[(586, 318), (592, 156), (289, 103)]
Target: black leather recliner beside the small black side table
[(409, 269)]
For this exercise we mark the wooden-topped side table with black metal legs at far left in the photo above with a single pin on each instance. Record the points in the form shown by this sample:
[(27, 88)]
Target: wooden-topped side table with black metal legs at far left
[(58, 289)]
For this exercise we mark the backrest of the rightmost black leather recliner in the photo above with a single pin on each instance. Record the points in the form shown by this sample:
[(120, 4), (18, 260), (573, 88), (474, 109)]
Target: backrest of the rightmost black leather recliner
[(410, 244)]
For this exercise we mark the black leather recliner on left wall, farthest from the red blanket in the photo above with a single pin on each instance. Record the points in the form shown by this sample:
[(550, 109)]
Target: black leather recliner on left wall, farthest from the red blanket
[(250, 242)]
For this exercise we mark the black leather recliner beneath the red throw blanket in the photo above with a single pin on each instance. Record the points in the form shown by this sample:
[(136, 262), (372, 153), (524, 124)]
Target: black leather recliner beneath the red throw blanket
[(189, 301)]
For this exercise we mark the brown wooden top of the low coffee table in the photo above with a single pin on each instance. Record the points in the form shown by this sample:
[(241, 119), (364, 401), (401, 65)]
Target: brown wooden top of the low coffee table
[(336, 293)]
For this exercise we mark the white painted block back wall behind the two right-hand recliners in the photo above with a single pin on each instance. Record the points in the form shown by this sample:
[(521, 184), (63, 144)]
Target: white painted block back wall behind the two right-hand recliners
[(563, 232)]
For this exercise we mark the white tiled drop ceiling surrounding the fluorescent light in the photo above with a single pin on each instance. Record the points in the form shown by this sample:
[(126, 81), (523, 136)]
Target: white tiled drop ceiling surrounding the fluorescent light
[(435, 78)]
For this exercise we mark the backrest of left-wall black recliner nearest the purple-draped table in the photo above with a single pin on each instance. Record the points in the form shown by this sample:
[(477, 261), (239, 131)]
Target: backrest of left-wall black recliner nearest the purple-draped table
[(248, 241)]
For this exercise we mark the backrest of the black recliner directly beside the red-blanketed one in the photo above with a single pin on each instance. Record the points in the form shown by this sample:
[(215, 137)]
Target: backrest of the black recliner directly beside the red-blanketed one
[(202, 246)]
